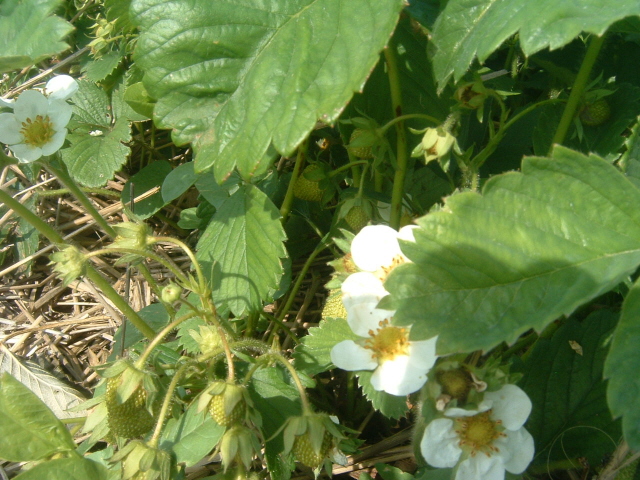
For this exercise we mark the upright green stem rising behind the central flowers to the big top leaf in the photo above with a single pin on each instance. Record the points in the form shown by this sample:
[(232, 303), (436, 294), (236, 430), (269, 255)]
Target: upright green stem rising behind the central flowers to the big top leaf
[(401, 148)]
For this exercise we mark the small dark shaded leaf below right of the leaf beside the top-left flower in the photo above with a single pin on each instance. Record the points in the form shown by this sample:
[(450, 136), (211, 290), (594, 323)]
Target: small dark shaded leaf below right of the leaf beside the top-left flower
[(150, 177)]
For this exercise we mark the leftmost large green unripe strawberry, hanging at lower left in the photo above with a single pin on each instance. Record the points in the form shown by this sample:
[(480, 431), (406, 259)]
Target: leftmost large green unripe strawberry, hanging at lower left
[(129, 419)]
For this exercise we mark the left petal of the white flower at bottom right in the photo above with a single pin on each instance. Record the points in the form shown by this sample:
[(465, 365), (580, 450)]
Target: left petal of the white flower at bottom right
[(439, 445)]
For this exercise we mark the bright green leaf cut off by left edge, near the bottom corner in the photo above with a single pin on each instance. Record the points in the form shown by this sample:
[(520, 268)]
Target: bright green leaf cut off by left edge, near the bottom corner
[(28, 429)]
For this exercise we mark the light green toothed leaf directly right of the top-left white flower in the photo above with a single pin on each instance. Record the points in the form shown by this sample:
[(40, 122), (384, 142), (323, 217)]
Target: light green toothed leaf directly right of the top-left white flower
[(97, 150)]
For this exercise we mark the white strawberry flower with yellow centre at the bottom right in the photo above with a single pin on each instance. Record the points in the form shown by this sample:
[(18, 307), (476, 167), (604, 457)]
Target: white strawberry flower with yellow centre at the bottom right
[(482, 443)]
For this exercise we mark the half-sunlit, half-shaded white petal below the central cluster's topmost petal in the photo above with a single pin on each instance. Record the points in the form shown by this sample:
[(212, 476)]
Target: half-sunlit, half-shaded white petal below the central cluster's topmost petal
[(361, 293)]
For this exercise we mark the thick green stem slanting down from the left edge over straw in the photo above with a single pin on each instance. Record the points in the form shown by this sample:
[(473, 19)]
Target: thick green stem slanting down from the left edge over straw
[(54, 237)]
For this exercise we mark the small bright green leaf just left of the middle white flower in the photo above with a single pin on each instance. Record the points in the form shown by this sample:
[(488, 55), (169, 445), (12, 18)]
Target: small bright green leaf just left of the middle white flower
[(313, 355)]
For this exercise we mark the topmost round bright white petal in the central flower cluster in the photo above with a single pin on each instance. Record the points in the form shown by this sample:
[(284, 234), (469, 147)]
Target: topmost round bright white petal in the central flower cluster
[(375, 246)]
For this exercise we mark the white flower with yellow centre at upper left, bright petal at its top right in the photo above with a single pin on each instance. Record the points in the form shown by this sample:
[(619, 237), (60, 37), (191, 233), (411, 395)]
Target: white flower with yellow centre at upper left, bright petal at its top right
[(38, 123)]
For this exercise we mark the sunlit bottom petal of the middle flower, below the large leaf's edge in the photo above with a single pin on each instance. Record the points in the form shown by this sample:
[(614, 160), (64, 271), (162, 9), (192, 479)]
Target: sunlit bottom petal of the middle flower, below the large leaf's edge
[(398, 376)]
